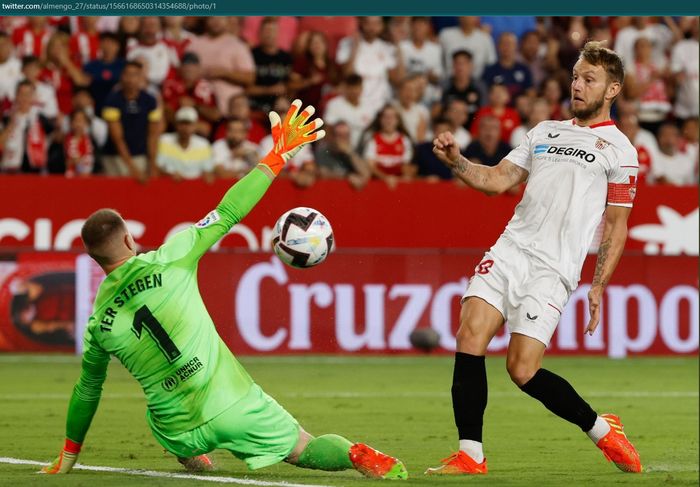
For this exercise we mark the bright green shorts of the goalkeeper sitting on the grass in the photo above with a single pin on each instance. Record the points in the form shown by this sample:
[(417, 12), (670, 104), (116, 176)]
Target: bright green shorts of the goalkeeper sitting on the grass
[(256, 430)]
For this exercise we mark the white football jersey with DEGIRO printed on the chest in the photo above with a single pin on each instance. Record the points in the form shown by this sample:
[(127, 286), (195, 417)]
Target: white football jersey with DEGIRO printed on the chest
[(574, 172)]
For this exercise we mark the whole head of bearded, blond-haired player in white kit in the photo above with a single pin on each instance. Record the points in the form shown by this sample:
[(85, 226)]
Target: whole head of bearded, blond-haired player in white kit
[(597, 80)]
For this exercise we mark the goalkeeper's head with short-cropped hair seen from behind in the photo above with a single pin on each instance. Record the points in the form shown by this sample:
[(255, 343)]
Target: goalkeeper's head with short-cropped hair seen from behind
[(107, 239)]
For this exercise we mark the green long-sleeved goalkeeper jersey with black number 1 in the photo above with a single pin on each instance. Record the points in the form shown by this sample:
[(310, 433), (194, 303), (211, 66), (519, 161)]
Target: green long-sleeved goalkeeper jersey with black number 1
[(149, 314)]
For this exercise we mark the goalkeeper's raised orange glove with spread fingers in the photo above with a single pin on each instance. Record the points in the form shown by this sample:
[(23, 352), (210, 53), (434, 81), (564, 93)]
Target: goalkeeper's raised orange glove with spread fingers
[(290, 135)]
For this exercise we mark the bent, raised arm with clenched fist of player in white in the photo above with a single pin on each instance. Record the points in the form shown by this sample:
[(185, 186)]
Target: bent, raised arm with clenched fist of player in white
[(489, 180)]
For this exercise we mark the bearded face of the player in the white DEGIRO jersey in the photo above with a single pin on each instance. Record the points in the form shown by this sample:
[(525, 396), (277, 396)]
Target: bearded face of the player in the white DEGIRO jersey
[(588, 87)]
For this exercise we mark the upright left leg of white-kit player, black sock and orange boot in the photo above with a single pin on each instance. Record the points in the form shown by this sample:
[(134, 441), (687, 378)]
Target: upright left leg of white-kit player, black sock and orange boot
[(479, 323)]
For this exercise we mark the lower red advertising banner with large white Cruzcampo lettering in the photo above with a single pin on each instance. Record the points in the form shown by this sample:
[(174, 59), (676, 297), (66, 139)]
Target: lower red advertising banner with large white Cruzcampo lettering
[(358, 302)]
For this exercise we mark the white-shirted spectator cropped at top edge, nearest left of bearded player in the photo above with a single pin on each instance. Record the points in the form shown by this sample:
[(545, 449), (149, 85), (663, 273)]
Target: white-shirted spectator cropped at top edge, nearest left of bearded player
[(468, 37)]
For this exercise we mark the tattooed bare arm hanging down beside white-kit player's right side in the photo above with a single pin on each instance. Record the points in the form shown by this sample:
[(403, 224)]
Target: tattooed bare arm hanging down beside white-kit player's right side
[(610, 250)]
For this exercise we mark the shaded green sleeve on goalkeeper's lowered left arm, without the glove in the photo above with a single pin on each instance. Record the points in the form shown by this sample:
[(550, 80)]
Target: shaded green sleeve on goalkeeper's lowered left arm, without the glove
[(88, 390)]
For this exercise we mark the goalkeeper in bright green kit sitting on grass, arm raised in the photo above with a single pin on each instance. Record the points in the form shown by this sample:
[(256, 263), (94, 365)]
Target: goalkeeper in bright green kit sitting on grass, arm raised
[(149, 314)]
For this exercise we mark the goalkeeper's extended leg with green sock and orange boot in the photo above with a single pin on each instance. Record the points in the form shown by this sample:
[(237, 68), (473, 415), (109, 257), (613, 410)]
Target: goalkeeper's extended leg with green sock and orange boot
[(333, 452)]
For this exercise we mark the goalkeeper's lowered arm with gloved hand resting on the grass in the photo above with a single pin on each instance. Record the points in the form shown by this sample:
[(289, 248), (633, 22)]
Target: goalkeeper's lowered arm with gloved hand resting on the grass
[(82, 407)]
